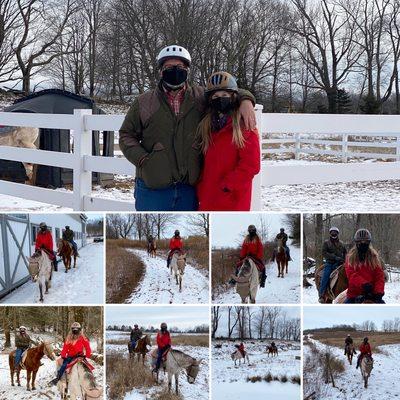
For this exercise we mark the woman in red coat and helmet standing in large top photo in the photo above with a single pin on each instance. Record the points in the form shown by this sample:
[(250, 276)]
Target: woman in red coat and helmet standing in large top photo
[(231, 153)]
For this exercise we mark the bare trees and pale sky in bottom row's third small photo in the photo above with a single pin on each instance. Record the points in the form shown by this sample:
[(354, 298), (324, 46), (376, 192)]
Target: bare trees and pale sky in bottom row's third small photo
[(254, 323)]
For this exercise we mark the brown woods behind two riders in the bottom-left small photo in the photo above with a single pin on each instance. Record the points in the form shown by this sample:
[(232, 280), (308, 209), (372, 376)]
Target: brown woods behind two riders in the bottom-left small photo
[(54, 320)]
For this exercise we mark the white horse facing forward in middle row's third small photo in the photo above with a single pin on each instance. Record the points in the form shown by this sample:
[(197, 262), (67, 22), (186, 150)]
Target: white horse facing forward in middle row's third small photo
[(247, 281)]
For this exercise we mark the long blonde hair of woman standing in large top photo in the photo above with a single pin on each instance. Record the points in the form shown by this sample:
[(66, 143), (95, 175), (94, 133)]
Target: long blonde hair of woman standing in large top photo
[(204, 130)]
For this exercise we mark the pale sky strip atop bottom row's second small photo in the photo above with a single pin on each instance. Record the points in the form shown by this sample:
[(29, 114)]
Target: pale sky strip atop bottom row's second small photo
[(180, 316)]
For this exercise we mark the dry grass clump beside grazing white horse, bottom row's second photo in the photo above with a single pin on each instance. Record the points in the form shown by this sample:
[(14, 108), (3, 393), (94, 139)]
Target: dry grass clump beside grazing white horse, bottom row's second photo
[(122, 378)]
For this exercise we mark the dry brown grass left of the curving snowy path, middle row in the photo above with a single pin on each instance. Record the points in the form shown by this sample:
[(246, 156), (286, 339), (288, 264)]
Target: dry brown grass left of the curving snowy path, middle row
[(124, 270)]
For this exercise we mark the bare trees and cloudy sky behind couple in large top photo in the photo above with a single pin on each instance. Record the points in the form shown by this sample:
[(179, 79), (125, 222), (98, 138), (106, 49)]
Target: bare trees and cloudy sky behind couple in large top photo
[(336, 56)]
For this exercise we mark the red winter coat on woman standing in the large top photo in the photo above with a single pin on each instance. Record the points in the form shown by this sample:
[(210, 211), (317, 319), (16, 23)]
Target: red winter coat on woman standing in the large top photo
[(228, 167)]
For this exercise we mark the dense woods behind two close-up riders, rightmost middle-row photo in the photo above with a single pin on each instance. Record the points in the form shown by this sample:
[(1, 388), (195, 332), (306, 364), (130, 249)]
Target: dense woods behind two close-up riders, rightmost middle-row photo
[(384, 228)]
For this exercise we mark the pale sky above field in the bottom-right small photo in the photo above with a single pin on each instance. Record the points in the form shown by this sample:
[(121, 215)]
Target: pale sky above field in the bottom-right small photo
[(321, 317)]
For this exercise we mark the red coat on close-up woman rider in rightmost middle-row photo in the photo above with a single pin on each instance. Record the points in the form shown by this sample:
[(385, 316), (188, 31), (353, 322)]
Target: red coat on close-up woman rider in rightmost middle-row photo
[(361, 274)]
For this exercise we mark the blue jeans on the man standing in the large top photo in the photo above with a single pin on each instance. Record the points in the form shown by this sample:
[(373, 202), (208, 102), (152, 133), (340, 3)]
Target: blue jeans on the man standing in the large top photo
[(177, 197)]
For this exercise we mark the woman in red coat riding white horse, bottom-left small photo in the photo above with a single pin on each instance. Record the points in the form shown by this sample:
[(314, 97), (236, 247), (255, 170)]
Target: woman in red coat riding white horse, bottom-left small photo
[(76, 345)]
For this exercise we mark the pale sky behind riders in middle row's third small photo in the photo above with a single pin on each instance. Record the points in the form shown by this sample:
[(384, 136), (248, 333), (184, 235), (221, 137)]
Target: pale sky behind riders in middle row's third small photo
[(228, 229)]
